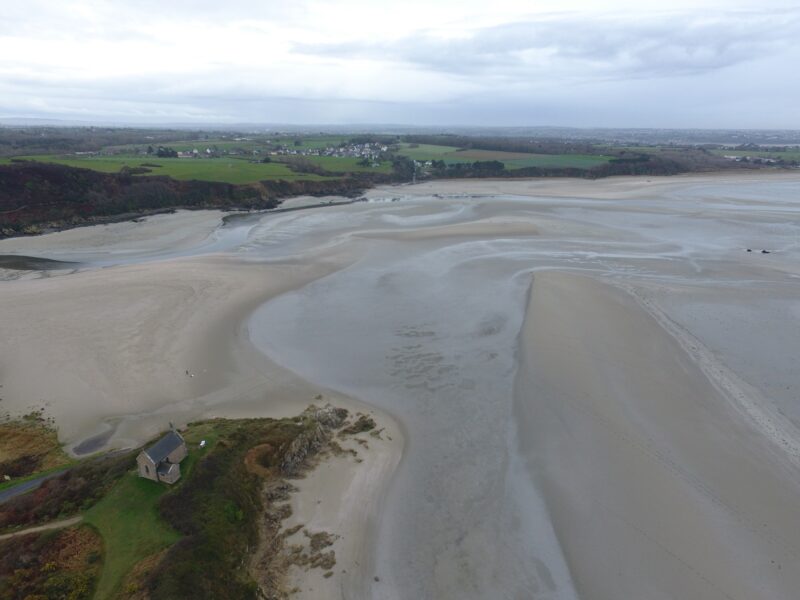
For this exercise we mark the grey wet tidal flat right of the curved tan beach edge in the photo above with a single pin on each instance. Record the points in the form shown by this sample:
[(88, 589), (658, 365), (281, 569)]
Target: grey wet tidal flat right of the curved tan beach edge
[(429, 324)]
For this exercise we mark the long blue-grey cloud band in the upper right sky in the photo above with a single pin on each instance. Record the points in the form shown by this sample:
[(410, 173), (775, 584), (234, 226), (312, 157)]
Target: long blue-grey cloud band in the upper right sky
[(646, 46)]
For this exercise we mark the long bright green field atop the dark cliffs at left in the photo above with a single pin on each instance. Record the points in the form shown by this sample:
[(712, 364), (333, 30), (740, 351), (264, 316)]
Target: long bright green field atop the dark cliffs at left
[(227, 170)]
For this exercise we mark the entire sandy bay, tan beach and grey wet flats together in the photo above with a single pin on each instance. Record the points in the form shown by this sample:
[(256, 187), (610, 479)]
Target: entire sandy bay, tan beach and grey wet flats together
[(587, 388)]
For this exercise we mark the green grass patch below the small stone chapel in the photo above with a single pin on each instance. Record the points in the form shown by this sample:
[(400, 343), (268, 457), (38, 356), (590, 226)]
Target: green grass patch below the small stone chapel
[(131, 528)]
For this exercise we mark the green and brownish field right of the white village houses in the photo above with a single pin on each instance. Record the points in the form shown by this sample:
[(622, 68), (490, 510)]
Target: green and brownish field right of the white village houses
[(511, 160)]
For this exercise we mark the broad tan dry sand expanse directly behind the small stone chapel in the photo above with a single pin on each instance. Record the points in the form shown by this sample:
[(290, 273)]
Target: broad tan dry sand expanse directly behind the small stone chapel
[(114, 345)]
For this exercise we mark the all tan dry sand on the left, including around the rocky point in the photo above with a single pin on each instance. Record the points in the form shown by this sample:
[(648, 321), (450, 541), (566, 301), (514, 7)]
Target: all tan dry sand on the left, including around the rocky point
[(116, 354)]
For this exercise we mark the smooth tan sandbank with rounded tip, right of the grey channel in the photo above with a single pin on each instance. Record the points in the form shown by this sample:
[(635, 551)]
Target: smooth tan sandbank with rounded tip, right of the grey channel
[(656, 485)]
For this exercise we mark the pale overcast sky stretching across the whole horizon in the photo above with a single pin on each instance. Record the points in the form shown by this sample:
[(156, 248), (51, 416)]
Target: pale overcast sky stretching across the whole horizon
[(615, 63)]
